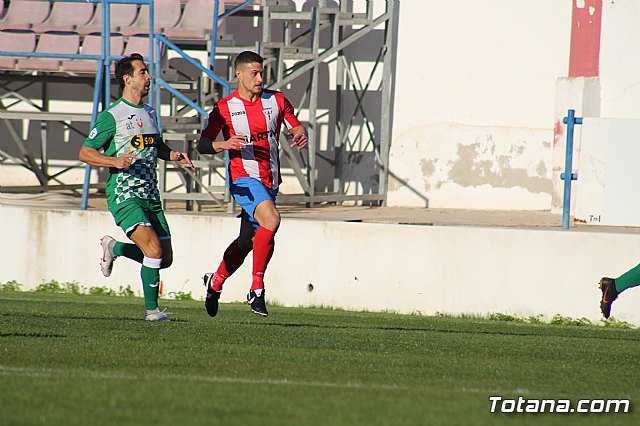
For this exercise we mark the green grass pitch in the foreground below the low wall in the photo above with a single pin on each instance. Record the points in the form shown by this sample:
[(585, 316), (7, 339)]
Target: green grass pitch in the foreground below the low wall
[(78, 360)]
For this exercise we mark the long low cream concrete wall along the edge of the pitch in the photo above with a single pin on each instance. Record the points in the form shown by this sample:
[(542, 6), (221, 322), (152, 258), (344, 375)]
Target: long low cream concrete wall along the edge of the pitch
[(403, 268)]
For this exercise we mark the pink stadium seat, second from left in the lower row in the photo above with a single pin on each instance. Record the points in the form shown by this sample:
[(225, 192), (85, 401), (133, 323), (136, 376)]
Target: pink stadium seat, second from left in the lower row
[(62, 42)]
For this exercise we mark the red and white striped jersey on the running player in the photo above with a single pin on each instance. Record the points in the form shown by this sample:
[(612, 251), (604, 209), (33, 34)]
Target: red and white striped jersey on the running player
[(260, 121)]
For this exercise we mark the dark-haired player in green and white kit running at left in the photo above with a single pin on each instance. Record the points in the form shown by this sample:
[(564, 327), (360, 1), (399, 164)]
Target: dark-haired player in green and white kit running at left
[(128, 133)]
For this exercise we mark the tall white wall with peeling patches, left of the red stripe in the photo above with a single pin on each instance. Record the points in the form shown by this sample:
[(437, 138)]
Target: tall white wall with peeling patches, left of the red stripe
[(474, 102)]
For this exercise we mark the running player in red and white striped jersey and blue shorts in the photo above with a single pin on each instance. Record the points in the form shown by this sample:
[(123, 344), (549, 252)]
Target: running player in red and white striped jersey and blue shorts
[(250, 120)]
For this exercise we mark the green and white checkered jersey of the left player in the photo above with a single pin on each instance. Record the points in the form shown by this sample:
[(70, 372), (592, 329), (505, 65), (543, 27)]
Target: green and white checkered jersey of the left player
[(122, 128)]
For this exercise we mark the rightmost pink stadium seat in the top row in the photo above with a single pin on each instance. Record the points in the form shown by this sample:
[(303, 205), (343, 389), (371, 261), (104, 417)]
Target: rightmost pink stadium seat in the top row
[(196, 22)]
